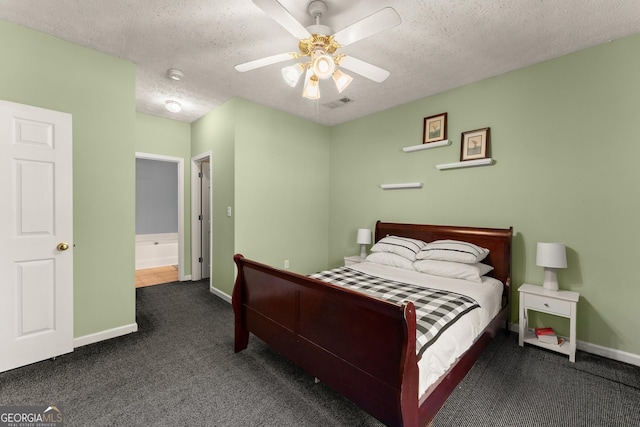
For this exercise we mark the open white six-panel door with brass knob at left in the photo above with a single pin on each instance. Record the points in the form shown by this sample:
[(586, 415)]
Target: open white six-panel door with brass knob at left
[(36, 235)]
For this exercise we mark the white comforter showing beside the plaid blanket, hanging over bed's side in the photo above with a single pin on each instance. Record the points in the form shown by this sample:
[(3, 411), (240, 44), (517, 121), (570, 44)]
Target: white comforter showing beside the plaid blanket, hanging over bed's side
[(461, 335)]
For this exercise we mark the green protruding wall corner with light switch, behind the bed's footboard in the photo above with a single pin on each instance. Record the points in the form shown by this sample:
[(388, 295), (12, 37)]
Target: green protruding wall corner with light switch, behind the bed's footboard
[(272, 169)]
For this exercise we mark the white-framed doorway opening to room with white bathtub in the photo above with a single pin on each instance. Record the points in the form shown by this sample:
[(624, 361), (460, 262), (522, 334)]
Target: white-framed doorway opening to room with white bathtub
[(155, 247)]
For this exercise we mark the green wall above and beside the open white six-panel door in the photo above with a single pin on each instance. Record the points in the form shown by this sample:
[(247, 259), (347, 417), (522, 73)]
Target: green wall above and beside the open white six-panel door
[(99, 91)]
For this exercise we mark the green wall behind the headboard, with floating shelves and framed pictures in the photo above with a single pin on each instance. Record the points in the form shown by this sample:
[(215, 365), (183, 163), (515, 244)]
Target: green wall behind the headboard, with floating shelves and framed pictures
[(564, 142)]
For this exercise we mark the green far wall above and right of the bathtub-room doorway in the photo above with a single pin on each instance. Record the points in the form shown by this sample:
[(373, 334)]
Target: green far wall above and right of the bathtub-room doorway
[(165, 137)]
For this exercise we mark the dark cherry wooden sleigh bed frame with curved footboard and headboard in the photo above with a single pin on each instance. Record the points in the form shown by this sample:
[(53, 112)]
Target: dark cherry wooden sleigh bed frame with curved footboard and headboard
[(362, 347)]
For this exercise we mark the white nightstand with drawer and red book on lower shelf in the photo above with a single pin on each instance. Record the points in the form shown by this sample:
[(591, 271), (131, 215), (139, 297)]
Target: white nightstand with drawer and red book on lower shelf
[(557, 303)]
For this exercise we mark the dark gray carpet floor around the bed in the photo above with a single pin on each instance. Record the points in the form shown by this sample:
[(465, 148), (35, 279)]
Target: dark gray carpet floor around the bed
[(180, 369)]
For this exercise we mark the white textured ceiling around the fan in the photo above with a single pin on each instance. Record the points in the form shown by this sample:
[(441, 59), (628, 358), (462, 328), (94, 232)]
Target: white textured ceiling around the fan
[(440, 45)]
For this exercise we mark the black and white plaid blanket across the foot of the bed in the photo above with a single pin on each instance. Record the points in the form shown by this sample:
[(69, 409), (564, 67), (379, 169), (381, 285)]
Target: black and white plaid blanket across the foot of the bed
[(436, 310)]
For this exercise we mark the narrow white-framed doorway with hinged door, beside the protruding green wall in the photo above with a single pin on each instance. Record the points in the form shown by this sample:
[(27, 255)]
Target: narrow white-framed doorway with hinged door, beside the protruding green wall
[(201, 216)]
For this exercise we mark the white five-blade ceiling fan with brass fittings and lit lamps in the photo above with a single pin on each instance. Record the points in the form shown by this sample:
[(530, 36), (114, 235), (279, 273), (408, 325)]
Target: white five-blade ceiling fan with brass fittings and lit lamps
[(319, 44)]
